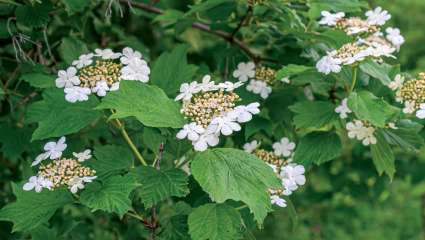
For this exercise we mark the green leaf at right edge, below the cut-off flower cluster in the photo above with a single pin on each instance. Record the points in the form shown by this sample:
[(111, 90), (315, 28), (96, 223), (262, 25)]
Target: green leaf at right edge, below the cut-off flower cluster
[(406, 135)]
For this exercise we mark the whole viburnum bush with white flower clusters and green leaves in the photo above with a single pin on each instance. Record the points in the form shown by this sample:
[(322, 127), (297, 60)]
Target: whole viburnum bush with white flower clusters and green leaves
[(190, 119)]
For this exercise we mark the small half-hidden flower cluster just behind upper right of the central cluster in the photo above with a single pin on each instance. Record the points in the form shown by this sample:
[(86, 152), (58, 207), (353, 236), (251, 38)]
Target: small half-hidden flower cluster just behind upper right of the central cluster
[(260, 78)]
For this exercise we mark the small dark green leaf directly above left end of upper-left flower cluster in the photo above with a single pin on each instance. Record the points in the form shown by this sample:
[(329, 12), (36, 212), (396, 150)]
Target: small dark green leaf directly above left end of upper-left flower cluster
[(71, 48)]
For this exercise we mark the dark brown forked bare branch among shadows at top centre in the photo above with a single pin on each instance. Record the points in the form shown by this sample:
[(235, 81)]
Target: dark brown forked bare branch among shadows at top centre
[(229, 37)]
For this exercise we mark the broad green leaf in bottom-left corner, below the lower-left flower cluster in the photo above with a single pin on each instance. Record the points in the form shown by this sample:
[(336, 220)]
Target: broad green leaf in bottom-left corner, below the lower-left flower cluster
[(33, 209)]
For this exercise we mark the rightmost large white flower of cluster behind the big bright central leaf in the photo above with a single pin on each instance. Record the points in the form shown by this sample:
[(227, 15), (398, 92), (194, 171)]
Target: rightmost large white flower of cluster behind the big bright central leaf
[(292, 176)]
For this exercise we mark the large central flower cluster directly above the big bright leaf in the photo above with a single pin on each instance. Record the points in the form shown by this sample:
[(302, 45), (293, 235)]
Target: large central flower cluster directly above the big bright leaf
[(212, 110)]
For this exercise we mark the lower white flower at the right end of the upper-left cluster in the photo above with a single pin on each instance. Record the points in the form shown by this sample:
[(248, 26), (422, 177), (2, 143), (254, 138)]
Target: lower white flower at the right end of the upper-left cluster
[(137, 70)]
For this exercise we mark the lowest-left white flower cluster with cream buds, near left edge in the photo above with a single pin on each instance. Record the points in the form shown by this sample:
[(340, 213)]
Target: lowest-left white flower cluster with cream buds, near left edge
[(60, 172)]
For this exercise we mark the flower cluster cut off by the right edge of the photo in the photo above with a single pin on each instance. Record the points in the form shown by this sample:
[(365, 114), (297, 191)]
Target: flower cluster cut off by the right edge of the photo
[(411, 93)]
